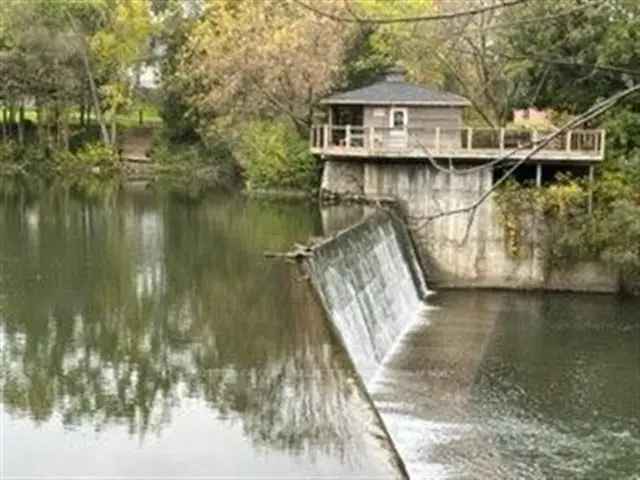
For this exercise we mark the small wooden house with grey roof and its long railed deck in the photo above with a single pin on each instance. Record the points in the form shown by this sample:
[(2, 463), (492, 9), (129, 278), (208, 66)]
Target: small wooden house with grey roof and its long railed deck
[(395, 119)]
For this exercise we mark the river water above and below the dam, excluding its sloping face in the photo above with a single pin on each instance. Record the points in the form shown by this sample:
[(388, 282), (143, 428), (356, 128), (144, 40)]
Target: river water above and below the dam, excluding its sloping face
[(145, 335)]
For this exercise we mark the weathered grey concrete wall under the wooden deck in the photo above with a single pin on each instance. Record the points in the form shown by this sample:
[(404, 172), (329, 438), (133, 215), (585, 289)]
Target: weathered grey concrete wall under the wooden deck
[(454, 254)]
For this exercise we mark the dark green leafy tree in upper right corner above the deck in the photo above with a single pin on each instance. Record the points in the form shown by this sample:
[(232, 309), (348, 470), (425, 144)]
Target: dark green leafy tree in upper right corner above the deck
[(554, 64)]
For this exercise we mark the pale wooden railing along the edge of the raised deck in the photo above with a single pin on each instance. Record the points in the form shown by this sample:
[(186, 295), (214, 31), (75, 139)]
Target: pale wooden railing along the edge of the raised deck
[(349, 139)]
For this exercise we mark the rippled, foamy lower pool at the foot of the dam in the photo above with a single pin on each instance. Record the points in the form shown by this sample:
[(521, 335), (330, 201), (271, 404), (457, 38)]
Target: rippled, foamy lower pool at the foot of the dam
[(509, 385)]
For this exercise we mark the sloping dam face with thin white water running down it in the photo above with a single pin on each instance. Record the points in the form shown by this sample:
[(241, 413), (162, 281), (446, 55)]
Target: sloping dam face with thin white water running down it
[(372, 288)]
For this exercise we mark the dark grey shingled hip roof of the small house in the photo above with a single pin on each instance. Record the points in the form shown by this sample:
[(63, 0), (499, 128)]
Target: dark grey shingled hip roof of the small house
[(393, 90)]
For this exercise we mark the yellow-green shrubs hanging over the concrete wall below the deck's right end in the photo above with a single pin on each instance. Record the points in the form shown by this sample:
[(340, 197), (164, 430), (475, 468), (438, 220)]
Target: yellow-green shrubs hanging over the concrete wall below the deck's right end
[(567, 232)]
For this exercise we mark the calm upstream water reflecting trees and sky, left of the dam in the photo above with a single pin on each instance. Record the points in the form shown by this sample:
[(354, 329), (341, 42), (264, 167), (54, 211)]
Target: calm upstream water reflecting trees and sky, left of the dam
[(140, 311)]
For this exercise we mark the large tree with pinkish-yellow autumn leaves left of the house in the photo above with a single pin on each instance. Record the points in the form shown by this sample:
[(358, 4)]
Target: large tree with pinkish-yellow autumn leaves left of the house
[(263, 58)]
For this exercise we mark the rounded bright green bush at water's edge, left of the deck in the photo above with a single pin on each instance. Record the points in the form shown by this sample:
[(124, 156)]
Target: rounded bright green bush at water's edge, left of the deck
[(274, 155)]
